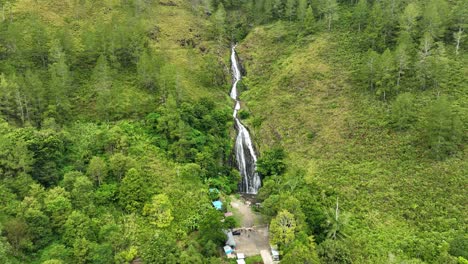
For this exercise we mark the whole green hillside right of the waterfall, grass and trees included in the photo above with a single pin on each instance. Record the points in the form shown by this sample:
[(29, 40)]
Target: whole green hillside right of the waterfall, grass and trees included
[(393, 156)]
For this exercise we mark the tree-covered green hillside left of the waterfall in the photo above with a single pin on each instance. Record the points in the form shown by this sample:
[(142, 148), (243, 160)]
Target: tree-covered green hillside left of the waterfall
[(114, 123)]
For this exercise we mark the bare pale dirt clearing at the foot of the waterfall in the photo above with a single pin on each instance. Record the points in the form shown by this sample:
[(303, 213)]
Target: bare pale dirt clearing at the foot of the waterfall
[(252, 241)]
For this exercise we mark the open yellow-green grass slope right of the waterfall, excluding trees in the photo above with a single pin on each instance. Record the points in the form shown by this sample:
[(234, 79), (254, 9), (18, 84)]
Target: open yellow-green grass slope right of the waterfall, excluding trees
[(302, 96)]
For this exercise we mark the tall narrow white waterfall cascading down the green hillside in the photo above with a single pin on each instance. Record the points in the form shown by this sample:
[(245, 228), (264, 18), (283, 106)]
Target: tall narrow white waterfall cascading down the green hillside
[(244, 150)]
